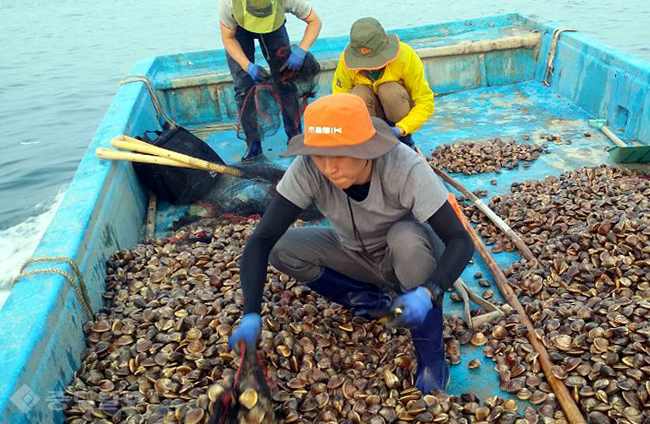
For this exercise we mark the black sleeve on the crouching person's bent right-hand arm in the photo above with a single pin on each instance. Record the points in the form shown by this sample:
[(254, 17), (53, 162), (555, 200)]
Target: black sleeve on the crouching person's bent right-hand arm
[(458, 247)]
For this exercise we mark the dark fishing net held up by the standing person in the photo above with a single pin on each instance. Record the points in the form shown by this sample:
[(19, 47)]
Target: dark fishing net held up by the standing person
[(282, 98)]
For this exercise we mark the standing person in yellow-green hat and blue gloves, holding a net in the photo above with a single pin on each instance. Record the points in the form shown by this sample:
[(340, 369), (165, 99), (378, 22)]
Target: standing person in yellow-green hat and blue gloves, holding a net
[(244, 21)]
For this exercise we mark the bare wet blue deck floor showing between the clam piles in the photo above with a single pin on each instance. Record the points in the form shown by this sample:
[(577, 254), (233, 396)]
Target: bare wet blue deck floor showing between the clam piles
[(506, 112)]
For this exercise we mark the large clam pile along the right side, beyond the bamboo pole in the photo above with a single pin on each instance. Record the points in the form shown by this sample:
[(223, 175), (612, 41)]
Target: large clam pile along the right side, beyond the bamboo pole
[(590, 297)]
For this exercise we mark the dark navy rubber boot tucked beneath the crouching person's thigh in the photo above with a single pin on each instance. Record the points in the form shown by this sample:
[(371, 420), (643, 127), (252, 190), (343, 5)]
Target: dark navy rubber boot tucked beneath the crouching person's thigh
[(361, 298)]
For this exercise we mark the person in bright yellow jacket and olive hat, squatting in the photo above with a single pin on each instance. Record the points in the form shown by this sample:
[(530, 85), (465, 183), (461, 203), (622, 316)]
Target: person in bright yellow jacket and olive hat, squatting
[(388, 75)]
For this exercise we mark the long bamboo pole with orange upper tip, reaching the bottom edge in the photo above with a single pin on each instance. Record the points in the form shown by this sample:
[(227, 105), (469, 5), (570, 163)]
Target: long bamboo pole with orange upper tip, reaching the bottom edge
[(567, 402)]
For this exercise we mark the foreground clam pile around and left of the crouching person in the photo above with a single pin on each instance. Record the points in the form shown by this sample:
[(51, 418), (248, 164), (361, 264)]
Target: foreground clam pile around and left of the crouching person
[(158, 353)]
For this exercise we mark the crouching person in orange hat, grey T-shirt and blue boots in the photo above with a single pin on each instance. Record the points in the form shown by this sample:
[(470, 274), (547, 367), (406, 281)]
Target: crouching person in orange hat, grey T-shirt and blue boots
[(388, 212)]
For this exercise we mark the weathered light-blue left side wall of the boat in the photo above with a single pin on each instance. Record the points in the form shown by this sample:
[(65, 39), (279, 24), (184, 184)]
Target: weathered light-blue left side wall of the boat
[(40, 325)]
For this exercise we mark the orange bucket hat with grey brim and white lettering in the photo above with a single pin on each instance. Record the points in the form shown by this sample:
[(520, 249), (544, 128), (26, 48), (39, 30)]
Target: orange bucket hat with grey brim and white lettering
[(340, 125)]
